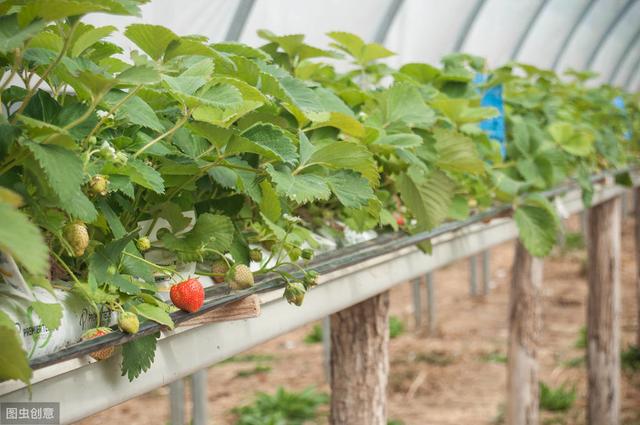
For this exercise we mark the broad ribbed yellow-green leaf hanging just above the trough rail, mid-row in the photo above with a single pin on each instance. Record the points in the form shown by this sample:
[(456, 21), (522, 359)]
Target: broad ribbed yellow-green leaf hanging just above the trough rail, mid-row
[(429, 199)]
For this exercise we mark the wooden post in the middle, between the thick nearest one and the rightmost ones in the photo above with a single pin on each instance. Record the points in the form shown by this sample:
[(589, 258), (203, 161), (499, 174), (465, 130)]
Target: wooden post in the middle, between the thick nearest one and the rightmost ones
[(524, 332)]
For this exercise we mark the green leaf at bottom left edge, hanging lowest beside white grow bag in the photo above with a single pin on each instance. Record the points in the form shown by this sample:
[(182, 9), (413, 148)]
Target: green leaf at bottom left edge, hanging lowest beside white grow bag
[(13, 359)]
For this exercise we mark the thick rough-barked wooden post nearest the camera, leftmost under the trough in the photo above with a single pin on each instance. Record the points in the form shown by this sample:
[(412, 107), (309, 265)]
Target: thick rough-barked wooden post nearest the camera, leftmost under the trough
[(360, 363)]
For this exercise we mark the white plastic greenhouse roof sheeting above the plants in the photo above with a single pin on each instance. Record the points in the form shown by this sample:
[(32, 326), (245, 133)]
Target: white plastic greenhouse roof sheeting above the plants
[(607, 35)]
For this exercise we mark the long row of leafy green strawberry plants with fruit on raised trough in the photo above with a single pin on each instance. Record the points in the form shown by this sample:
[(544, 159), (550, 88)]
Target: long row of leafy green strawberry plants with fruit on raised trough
[(193, 160)]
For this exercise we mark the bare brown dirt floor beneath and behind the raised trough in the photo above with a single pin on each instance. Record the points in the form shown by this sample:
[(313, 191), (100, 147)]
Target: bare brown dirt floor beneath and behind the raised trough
[(454, 377)]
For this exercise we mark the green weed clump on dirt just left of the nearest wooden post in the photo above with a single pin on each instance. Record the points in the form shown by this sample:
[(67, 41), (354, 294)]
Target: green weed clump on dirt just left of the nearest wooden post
[(283, 407)]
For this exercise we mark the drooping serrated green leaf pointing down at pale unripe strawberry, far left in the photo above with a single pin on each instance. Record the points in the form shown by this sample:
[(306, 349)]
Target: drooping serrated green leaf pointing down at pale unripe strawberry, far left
[(64, 173)]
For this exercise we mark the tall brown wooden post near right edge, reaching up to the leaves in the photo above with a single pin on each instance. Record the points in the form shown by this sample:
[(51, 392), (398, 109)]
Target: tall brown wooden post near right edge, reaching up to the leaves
[(603, 314)]
